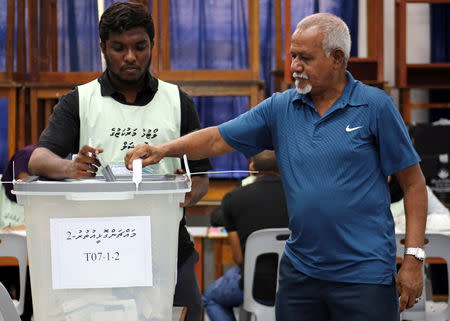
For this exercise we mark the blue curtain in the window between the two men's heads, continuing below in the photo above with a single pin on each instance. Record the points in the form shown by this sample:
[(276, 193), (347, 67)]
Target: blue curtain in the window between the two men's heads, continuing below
[(213, 35)]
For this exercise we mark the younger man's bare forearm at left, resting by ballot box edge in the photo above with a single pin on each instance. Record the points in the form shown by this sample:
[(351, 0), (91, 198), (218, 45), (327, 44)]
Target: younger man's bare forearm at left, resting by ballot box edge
[(45, 163)]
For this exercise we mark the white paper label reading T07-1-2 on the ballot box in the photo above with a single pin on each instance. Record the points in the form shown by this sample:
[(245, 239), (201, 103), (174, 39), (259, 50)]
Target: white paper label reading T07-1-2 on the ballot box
[(101, 252)]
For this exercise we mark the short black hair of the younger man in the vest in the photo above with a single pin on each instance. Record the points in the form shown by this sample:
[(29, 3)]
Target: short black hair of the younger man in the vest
[(122, 16)]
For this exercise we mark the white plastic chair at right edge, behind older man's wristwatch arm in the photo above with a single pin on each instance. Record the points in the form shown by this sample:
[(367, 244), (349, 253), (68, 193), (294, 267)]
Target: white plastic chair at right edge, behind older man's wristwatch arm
[(438, 246)]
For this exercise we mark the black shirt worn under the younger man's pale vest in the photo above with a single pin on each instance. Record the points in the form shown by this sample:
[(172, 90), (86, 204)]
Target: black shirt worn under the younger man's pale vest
[(62, 136)]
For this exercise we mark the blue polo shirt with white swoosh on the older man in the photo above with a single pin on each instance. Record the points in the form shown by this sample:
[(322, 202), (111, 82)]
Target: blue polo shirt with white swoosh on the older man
[(334, 170)]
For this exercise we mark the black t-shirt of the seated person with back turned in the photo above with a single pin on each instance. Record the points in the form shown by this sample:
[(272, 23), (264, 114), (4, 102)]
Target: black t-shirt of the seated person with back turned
[(253, 207)]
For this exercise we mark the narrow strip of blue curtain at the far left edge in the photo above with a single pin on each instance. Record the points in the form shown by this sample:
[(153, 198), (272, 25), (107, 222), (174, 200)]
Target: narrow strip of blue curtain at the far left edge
[(3, 101)]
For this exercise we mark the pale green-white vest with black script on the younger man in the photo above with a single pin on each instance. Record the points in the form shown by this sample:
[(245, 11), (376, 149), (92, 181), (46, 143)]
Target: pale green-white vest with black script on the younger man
[(117, 127)]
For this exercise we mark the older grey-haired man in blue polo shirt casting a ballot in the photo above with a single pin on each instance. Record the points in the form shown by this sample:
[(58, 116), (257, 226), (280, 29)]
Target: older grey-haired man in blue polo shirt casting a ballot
[(336, 141)]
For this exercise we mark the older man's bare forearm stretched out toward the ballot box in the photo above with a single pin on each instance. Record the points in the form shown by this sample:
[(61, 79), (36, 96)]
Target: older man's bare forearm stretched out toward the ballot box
[(197, 145)]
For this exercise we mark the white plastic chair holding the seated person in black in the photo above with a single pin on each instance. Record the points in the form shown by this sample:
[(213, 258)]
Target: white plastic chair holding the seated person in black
[(261, 242)]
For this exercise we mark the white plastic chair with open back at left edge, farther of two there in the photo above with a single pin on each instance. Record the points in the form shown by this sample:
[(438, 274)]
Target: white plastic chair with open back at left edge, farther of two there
[(15, 245)]
